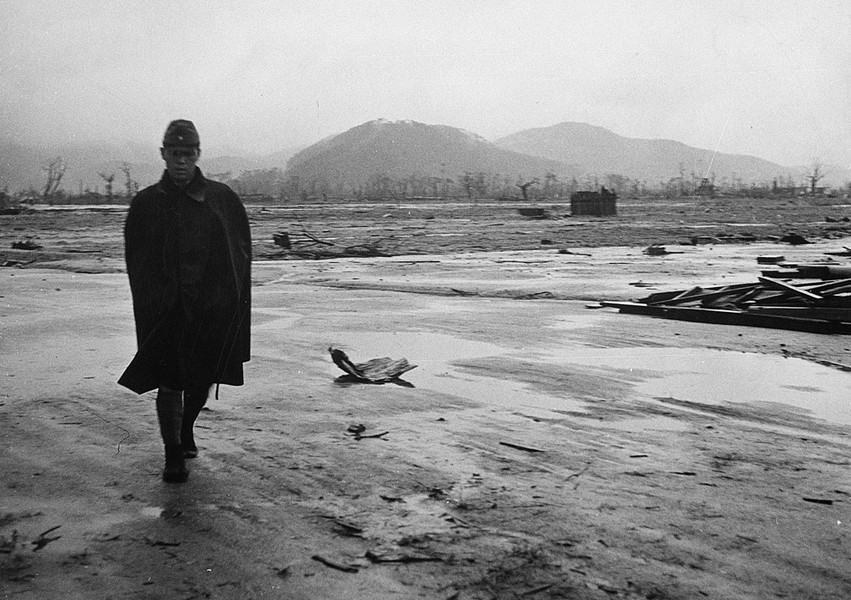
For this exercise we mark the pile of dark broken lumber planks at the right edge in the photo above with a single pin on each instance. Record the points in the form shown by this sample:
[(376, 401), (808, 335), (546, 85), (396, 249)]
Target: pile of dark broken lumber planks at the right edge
[(822, 306)]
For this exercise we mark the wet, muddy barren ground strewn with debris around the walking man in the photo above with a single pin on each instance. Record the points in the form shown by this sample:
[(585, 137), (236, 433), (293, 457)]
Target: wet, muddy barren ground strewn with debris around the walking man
[(540, 449)]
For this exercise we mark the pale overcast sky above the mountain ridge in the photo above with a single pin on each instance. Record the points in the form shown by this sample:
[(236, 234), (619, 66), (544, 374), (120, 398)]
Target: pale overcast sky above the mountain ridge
[(767, 78)]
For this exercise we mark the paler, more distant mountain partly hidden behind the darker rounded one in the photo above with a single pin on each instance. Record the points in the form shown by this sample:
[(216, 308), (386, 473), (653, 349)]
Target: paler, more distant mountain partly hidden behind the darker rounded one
[(598, 151)]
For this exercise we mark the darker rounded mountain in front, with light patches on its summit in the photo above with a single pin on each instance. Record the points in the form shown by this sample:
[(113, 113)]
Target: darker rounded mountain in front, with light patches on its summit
[(401, 149)]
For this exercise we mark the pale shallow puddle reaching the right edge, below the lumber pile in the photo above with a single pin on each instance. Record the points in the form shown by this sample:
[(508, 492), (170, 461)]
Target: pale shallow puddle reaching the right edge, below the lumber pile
[(715, 377)]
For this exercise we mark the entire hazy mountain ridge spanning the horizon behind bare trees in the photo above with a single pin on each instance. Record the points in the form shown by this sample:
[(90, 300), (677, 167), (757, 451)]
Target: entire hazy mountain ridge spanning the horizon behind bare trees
[(399, 149)]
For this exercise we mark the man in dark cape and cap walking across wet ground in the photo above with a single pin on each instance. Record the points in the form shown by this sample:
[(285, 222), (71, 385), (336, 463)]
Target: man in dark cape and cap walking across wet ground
[(188, 254)]
